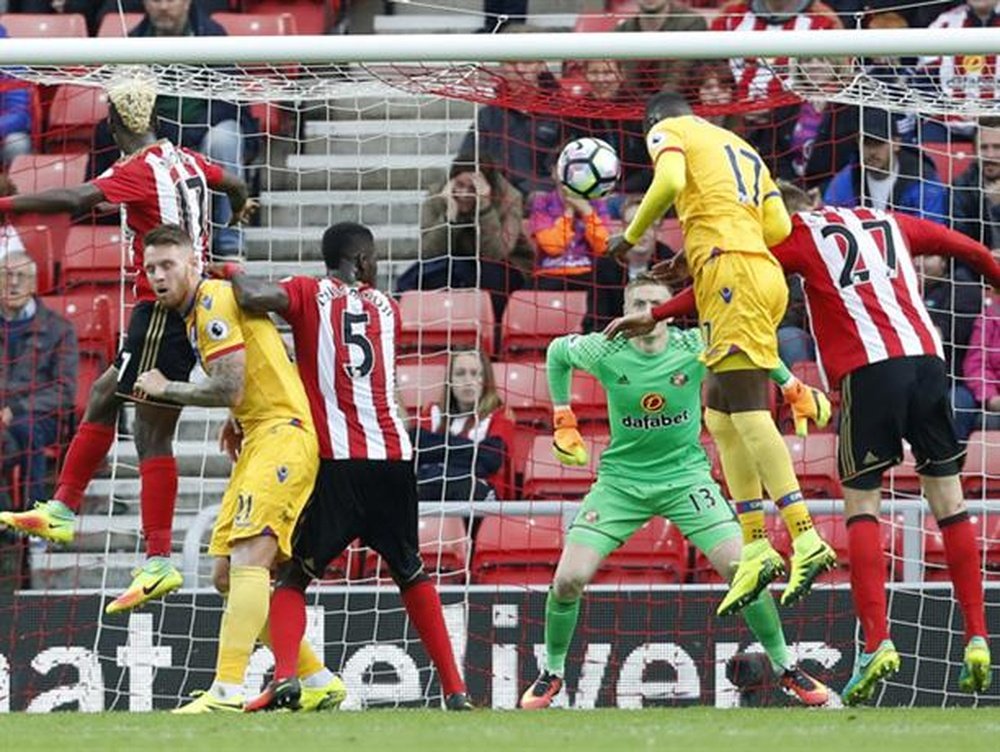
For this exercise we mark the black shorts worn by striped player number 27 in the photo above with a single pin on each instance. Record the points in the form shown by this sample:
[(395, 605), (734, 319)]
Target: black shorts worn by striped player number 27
[(886, 402)]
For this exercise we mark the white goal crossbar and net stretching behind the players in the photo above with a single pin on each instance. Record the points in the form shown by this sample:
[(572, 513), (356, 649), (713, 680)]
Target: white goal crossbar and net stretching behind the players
[(445, 146)]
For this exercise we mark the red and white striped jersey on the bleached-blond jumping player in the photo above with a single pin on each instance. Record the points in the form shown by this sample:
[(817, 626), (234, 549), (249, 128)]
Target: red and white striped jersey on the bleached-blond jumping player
[(161, 184)]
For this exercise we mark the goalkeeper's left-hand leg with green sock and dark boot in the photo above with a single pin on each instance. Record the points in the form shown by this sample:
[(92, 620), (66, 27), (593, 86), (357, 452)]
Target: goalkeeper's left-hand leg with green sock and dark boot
[(576, 568)]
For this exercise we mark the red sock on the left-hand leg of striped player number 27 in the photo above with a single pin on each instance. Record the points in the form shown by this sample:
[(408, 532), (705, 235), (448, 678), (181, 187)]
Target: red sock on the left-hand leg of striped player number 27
[(867, 562)]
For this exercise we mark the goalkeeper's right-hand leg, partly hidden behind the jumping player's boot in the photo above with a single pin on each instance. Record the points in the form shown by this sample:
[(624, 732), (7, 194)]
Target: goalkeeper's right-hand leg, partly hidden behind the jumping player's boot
[(761, 616)]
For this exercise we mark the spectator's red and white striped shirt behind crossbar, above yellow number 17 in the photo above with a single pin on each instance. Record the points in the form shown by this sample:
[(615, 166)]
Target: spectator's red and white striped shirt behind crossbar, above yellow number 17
[(755, 81)]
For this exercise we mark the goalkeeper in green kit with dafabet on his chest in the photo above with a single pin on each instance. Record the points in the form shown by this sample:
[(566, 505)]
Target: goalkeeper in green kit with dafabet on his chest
[(654, 466)]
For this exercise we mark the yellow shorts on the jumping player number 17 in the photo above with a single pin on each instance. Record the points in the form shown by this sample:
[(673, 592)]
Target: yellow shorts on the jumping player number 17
[(741, 300)]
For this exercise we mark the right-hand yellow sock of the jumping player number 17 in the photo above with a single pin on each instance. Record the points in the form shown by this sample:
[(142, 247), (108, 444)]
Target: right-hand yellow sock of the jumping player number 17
[(765, 445)]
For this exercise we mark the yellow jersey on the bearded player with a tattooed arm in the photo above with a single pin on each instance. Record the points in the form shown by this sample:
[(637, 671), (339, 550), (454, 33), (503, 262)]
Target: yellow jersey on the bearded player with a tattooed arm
[(272, 388)]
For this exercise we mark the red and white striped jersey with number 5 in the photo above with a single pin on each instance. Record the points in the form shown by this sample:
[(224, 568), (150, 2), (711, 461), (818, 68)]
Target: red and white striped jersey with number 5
[(345, 345)]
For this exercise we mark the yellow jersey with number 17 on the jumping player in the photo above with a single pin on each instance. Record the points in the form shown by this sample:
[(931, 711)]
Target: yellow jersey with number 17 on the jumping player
[(721, 207)]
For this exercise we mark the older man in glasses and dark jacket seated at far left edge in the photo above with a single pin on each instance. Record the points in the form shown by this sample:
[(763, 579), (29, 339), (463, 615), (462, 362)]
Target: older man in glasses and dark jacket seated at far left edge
[(38, 364)]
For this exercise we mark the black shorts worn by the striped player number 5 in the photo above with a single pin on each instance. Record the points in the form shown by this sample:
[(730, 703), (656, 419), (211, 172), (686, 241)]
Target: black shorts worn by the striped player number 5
[(374, 500)]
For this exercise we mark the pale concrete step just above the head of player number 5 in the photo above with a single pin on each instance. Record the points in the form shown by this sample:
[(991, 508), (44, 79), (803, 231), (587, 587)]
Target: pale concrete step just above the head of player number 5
[(310, 208)]
